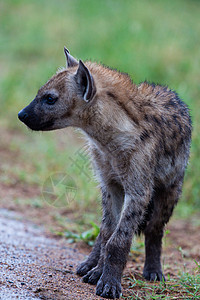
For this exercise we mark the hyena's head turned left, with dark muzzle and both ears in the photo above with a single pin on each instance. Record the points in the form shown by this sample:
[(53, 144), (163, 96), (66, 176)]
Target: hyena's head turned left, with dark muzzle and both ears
[(58, 102)]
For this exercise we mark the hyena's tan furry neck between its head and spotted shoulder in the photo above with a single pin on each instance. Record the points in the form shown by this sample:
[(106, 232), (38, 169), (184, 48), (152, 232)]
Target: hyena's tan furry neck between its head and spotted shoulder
[(111, 119)]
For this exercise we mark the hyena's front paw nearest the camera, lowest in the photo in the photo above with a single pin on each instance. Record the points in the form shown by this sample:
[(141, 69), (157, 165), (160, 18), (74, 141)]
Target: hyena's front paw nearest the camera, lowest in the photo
[(108, 287)]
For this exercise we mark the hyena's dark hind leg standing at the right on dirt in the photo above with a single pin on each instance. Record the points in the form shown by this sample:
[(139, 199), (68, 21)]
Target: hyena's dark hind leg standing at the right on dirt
[(164, 201)]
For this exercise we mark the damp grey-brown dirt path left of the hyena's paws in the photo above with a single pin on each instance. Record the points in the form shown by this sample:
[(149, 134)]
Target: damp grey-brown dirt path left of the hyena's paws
[(34, 266)]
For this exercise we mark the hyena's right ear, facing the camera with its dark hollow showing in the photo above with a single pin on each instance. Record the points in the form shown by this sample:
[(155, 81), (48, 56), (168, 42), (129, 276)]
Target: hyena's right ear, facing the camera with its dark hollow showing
[(85, 82)]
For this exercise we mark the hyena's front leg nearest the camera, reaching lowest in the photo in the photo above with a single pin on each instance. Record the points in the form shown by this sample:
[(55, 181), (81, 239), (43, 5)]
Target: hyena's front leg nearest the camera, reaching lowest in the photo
[(118, 246)]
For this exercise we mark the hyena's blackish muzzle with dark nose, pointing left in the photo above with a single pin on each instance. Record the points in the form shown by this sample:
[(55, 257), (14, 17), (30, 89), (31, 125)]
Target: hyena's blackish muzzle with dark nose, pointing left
[(35, 118)]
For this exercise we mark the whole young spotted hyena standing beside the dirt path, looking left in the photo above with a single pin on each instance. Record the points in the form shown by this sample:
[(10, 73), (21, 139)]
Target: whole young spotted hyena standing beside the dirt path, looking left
[(139, 139)]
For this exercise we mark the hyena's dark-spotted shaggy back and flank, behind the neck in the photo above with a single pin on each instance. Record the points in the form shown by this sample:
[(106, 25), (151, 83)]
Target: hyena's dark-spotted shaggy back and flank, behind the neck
[(165, 131)]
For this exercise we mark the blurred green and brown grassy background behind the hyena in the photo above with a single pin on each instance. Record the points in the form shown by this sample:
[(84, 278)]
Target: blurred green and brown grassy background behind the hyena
[(156, 40)]
